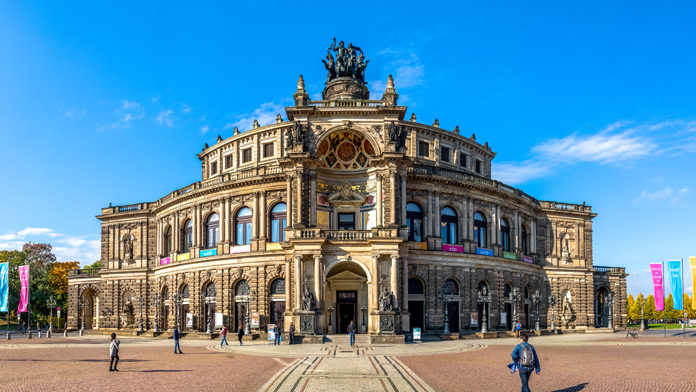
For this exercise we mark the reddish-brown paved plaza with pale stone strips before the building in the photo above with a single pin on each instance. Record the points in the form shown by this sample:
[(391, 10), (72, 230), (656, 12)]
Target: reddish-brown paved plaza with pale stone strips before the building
[(579, 362)]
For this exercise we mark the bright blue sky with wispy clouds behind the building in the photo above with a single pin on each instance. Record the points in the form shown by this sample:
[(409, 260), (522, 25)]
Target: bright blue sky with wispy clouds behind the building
[(582, 102)]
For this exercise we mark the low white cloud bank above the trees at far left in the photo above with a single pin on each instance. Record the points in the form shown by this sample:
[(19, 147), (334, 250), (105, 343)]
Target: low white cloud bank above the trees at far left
[(84, 249)]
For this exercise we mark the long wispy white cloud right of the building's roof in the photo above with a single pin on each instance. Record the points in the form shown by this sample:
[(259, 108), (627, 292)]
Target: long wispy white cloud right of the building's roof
[(619, 143)]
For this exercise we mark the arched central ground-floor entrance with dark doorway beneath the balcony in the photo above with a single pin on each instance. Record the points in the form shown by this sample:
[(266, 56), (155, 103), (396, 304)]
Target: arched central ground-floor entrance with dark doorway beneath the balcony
[(347, 293)]
